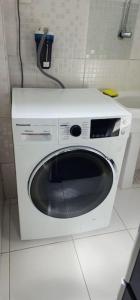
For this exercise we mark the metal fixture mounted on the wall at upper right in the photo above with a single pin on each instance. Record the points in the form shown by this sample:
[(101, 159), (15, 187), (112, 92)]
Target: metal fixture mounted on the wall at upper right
[(123, 33)]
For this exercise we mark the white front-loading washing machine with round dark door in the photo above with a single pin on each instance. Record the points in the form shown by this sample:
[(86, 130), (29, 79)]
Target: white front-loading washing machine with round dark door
[(69, 146)]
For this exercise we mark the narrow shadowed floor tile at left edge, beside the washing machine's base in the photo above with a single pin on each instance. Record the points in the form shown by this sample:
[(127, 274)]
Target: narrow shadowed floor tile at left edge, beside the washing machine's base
[(5, 228)]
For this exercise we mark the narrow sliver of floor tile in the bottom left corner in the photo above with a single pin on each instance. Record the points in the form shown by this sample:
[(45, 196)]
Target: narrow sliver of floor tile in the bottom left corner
[(4, 277)]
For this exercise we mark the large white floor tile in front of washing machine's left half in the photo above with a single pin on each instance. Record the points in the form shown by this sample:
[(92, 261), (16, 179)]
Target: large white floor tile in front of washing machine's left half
[(47, 272)]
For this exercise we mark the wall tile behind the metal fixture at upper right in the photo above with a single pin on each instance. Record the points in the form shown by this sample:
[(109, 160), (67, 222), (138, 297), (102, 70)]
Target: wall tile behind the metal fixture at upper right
[(104, 25)]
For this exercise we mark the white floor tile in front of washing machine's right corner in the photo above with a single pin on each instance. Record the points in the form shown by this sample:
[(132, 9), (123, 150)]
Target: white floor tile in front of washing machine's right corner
[(104, 260)]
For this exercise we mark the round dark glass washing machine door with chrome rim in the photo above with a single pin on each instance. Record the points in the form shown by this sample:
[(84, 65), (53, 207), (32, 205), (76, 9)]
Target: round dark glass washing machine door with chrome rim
[(71, 182)]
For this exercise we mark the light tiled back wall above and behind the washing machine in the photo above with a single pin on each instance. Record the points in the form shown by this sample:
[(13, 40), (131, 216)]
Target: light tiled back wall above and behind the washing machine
[(74, 60)]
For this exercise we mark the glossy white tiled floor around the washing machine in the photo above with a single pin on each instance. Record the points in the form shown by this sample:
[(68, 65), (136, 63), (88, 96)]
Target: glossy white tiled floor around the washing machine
[(85, 267)]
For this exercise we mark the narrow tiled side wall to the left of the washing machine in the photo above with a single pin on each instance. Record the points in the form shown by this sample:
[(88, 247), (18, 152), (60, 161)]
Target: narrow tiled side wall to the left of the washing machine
[(6, 145)]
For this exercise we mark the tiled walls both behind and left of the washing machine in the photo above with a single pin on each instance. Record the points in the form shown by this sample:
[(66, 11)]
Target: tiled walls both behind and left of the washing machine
[(74, 59)]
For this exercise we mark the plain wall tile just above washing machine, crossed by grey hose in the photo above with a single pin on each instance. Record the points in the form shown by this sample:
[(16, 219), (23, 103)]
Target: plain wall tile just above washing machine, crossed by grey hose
[(69, 71)]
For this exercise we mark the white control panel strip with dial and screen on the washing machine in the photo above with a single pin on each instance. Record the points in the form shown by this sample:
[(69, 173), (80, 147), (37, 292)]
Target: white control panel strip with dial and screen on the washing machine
[(69, 130)]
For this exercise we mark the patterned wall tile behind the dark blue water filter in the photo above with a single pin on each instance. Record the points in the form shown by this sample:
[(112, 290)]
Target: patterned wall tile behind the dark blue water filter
[(68, 20)]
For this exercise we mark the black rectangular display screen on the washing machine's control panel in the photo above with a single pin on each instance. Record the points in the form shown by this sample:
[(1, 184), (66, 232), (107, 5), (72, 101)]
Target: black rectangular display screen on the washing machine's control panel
[(102, 128)]
